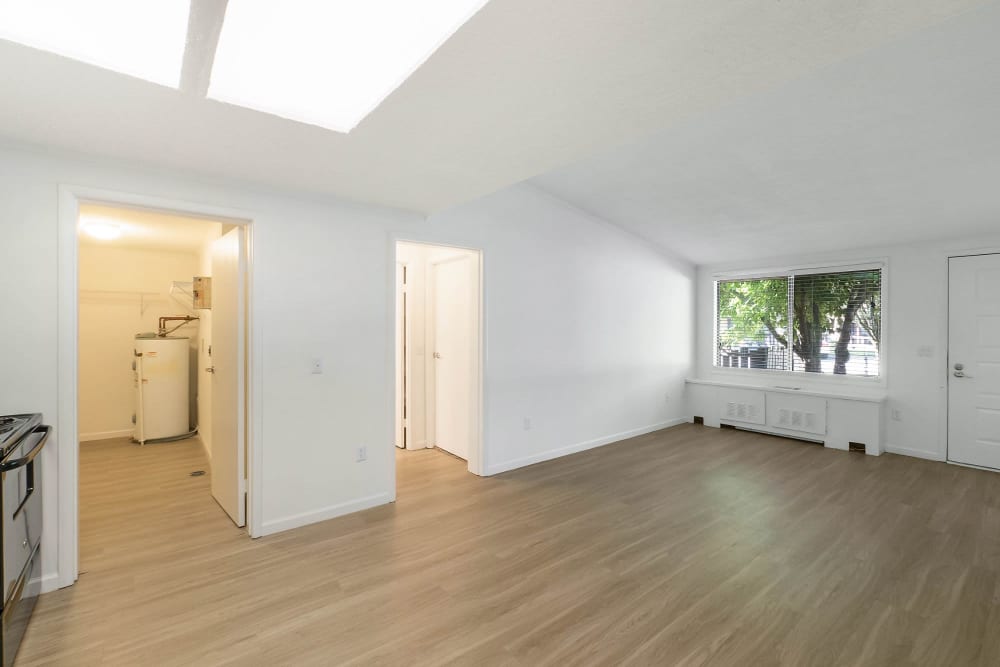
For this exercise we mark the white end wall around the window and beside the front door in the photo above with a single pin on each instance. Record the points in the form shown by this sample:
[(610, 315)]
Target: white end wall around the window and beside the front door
[(915, 315)]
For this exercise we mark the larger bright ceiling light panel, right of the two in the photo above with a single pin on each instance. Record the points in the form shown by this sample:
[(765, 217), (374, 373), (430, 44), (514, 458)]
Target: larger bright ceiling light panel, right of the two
[(327, 62)]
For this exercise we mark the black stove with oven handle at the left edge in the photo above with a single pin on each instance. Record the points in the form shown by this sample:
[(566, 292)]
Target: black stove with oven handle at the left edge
[(22, 438)]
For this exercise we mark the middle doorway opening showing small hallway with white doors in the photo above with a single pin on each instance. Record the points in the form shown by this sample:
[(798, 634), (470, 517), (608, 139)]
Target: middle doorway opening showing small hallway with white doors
[(438, 298)]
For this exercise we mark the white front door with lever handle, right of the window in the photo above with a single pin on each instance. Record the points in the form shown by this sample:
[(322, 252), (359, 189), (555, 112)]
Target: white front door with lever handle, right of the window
[(974, 360)]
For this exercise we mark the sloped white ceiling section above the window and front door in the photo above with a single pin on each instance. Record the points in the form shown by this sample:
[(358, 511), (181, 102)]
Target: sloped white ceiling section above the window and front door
[(898, 144)]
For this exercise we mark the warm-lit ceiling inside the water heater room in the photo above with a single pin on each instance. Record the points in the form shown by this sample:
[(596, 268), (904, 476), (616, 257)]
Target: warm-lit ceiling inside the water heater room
[(150, 230)]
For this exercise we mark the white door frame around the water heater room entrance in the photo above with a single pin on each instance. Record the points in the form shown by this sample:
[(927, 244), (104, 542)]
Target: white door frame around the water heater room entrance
[(70, 197)]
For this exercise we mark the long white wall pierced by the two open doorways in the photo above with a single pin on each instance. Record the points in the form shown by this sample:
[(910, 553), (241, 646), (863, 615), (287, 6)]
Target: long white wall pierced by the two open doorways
[(587, 330)]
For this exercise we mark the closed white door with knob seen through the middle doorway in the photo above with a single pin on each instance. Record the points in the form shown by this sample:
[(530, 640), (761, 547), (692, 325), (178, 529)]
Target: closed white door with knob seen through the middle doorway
[(453, 329)]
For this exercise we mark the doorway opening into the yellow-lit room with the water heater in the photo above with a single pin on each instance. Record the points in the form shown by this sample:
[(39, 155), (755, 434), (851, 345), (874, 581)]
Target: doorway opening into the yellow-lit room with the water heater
[(161, 383)]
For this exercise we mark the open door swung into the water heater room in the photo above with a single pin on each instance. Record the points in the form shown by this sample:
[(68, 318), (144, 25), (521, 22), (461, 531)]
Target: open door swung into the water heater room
[(228, 362)]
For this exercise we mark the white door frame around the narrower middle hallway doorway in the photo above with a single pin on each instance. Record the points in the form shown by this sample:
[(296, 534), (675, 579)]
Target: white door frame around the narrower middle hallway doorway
[(478, 449)]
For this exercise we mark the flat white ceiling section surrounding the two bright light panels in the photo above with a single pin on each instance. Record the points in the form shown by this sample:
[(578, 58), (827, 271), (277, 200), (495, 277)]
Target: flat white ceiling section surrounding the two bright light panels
[(523, 87)]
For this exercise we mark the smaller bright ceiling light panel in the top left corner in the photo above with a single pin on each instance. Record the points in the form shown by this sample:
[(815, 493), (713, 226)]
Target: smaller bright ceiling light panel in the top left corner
[(138, 38)]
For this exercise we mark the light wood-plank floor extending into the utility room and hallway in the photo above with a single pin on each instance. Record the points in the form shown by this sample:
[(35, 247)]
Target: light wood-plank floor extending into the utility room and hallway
[(691, 546)]
